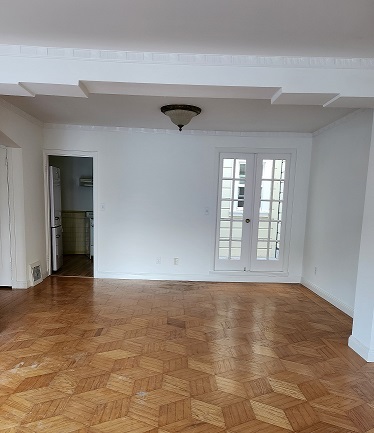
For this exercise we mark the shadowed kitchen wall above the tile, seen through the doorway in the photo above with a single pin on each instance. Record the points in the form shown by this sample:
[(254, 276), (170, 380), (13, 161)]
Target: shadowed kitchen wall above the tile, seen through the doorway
[(74, 196)]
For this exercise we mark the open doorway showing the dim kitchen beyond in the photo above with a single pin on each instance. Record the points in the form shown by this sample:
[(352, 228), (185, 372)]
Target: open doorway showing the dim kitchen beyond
[(70, 180)]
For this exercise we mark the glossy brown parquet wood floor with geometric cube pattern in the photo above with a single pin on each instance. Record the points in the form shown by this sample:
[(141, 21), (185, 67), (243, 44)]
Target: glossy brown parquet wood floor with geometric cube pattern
[(105, 356)]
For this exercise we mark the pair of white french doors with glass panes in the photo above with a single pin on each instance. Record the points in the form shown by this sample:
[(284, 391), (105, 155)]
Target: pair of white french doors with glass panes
[(252, 212)]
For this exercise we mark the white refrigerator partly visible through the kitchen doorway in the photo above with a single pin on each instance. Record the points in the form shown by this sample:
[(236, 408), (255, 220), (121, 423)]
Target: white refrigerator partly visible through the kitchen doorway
[(56, 222)]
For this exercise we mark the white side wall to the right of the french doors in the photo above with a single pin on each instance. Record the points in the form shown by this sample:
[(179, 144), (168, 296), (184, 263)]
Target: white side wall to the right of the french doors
[(335, 208)]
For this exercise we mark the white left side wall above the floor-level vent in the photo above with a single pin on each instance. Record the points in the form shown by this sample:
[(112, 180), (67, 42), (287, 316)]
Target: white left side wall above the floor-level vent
[(27, 188)]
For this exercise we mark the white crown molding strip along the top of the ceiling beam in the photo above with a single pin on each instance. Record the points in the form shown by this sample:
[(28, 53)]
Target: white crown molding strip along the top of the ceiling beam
[(143, 57)]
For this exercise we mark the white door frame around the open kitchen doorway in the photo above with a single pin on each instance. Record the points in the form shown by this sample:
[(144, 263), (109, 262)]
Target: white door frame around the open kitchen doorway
[(80, 154)]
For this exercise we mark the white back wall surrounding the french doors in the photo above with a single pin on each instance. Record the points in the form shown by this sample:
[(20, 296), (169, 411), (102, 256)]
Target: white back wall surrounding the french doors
[(156, 186)]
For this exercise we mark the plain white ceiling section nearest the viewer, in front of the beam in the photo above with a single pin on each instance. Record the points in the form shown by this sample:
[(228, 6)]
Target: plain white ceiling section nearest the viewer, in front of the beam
[(336, 28)]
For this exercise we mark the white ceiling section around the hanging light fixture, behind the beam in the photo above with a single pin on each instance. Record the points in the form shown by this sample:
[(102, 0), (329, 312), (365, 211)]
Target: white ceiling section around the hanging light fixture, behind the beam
[(144, 112)]
